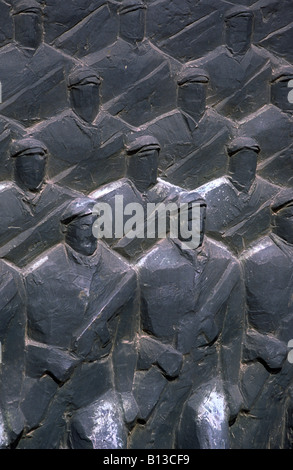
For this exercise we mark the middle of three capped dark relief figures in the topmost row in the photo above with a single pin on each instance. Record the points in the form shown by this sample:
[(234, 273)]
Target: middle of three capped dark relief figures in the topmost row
[(138, 80)]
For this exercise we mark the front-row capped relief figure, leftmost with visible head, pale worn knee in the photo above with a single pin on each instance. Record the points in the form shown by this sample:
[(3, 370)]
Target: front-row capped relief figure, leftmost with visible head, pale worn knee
[(80, 326)]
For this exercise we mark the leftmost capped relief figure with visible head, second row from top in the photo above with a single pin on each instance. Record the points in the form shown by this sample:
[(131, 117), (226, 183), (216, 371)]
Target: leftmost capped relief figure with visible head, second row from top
[(85, 142)]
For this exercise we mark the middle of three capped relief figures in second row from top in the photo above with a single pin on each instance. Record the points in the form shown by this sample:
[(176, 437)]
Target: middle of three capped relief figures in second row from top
[(192, 137)]
